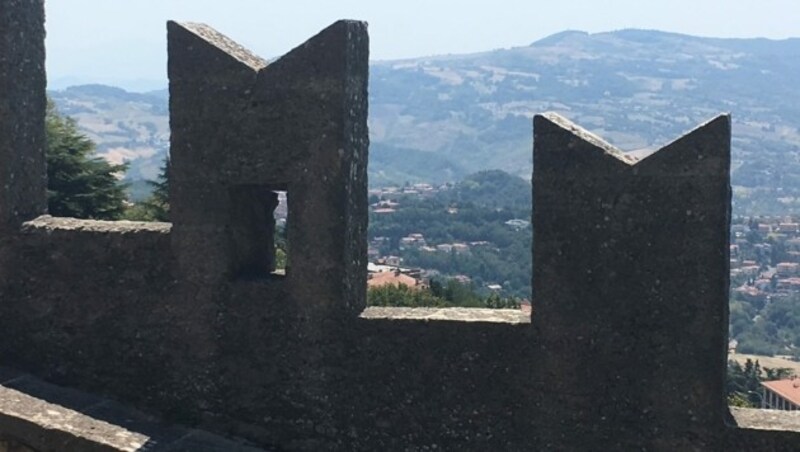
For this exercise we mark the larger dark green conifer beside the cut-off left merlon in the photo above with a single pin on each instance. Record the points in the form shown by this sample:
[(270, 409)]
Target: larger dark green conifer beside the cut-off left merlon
[(79, 184)]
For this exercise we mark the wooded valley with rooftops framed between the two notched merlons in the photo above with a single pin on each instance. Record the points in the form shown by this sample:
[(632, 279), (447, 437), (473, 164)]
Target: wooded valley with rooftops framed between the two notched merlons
[(461, 245)]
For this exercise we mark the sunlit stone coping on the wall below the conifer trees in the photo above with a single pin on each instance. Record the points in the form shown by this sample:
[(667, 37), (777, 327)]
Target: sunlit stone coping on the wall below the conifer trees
[(47, 223)]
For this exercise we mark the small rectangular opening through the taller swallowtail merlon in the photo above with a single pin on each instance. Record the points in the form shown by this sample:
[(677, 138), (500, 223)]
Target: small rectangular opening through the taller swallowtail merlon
[(259, 216)]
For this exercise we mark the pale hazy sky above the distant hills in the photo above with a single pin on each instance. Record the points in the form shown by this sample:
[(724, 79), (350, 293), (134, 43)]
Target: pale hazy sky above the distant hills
[(123, 42)]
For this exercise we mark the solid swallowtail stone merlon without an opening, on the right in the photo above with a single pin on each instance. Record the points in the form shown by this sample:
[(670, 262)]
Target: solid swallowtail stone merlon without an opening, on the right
[(631, 285)]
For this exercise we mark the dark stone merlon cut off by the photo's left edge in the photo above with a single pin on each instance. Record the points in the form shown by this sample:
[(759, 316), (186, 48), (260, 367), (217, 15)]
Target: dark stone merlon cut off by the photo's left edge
[(22, 108)]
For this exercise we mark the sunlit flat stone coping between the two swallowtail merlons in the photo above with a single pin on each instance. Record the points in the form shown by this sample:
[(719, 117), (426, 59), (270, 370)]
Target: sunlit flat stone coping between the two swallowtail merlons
[(510, 316)]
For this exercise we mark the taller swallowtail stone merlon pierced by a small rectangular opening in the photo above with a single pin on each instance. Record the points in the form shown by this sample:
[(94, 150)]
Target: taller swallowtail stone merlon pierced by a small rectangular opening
[(240, 127)]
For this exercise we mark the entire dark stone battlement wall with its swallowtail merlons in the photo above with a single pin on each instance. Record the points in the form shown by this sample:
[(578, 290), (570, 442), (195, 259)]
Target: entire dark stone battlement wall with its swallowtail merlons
[(626, 350)]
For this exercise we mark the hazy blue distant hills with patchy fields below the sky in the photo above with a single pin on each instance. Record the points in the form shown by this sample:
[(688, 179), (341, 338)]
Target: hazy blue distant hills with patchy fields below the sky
[(440, 118)]
